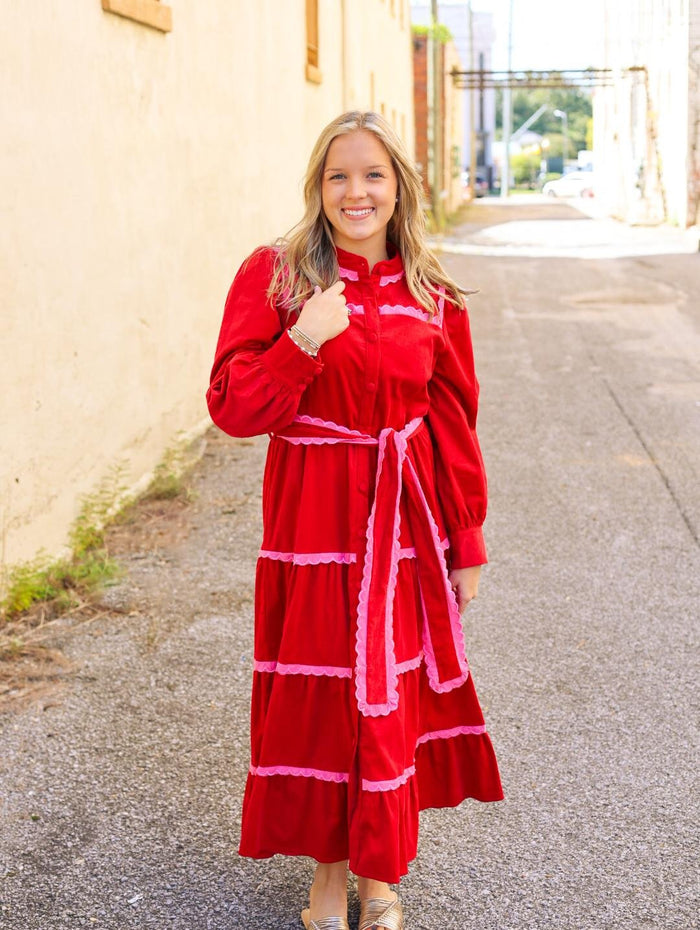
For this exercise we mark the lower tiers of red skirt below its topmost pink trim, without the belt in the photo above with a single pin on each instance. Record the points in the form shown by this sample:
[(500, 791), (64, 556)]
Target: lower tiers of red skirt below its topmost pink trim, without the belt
[(324, 780)]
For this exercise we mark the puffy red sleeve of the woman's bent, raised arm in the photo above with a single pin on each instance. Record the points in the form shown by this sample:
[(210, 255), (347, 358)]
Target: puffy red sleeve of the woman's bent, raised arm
[(259, 374)]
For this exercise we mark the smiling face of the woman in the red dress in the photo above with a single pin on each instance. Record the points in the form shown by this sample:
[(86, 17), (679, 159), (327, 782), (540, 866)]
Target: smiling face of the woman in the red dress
[(359, 190)]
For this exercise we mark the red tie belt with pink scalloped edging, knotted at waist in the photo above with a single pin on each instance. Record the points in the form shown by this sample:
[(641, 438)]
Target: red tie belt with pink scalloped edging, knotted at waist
[(376, 675)]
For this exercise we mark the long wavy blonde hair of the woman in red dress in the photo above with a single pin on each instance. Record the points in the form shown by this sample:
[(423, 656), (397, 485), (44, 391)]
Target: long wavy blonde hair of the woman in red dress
[(306, 256)]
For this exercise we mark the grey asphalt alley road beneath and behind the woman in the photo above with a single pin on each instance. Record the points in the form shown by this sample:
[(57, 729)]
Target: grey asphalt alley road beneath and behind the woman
[(121, 794)]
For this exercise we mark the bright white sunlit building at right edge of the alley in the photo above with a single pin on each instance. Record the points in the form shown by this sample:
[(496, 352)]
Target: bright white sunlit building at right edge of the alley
[(647, 124)]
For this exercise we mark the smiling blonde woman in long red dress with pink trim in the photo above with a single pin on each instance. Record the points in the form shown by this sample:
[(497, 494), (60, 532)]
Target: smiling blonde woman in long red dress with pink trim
[(349, 344)]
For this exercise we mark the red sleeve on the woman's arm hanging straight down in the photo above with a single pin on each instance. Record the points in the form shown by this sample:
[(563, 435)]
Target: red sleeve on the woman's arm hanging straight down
[(460, 475)]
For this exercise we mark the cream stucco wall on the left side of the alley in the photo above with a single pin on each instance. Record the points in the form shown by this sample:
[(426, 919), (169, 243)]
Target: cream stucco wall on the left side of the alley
[(138, 169)]
